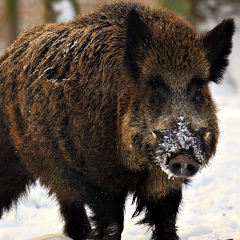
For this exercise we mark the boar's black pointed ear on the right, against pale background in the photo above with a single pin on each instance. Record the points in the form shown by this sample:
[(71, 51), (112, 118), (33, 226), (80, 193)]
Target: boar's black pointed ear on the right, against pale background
[(218, 43)]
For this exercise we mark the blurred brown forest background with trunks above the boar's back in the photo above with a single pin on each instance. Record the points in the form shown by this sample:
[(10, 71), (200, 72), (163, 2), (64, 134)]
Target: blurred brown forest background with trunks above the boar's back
[(18, 15)]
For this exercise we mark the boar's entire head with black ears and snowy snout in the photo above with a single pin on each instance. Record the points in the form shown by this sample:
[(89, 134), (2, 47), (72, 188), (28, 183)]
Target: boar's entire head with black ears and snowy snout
[(171, 119)]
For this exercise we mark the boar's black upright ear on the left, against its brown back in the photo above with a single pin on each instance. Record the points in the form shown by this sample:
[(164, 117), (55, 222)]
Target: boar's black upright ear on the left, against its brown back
[(137, 33)]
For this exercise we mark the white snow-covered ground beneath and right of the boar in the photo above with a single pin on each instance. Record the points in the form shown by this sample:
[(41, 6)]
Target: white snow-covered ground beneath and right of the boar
[(211, 204)]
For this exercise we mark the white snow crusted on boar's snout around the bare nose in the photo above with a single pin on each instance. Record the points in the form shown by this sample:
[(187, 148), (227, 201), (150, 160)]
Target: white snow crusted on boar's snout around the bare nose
[(175, 140)]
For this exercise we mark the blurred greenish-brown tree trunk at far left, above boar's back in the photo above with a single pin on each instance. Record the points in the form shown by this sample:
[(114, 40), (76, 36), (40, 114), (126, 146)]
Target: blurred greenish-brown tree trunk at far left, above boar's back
[(11, 19)]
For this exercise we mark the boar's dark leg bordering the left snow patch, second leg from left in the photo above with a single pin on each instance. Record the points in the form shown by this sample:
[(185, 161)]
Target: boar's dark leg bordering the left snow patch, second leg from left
[(77, 225)]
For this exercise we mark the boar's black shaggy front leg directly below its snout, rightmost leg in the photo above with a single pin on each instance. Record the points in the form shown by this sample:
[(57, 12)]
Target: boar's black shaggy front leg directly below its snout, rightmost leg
[(161, 215)]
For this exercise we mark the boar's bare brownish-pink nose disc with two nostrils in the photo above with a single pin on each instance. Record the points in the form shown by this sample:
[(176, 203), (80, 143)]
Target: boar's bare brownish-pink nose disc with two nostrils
[(183, 165)]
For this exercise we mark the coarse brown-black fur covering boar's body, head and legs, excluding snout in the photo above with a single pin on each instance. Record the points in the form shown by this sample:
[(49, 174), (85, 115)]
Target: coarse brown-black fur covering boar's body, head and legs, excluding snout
[(75, 112)]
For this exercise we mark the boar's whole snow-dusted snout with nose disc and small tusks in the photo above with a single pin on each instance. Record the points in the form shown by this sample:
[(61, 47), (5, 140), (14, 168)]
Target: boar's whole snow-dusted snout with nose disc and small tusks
[(181, 151)]
